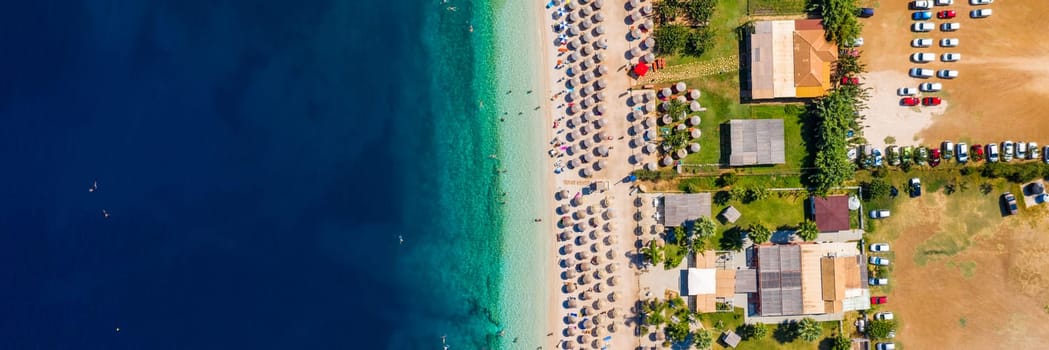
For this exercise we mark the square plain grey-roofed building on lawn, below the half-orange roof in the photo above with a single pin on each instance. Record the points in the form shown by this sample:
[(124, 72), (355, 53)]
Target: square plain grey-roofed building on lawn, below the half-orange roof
[(757, 142)]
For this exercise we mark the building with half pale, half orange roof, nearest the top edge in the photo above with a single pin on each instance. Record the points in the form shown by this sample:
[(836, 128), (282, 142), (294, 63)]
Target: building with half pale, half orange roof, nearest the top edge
[(790, 60)]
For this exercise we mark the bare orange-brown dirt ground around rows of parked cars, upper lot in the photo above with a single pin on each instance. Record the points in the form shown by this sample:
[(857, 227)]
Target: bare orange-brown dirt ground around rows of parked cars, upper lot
[(1003, 81)]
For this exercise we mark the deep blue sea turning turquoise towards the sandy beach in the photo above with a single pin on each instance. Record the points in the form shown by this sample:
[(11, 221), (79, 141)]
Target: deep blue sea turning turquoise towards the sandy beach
[(271, 174)]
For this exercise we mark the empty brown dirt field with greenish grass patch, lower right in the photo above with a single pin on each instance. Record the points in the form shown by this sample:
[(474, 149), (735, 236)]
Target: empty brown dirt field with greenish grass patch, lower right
[(967, 278)]
